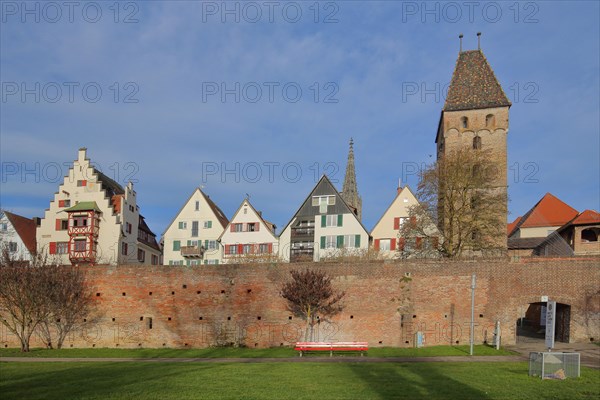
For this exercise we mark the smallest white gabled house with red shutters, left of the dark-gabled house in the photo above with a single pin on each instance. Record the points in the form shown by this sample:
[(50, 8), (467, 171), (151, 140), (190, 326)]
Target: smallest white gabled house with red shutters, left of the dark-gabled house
[(249, 237)]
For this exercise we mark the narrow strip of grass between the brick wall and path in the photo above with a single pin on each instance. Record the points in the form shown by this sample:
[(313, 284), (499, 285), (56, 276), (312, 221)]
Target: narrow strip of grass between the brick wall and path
[(276, 352)]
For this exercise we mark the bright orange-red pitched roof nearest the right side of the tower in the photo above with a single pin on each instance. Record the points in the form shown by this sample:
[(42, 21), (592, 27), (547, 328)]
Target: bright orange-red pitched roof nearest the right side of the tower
[(549, 211)]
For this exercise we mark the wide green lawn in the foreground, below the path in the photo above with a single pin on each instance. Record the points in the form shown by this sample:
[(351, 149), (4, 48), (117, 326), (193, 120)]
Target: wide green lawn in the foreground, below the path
[(343, 380)]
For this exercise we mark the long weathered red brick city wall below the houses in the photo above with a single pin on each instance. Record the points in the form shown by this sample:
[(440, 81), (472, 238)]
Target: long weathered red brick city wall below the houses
[(385, 304)]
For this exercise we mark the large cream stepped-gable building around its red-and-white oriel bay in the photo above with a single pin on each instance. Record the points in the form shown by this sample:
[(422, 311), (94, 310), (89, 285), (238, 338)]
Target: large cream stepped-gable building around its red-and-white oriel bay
[(117, 214)]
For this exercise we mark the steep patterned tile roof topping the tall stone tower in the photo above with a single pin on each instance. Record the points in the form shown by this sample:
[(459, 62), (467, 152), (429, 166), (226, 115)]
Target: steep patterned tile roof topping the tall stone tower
[(474, 85)]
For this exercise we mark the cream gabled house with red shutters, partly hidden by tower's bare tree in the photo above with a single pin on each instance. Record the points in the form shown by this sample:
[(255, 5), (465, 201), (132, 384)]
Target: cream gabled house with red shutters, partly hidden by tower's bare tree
[(386, 235)]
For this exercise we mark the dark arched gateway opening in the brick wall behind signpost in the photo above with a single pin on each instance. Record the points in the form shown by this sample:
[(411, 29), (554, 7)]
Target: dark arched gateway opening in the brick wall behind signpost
[(531, 327)]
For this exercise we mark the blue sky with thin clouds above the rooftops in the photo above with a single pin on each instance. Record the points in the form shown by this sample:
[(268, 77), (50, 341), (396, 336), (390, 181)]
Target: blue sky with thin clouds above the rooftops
[(261, 98)]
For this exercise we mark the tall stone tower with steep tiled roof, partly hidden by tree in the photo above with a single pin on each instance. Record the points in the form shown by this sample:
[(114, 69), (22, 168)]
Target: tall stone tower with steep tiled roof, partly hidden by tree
[(475, 118)]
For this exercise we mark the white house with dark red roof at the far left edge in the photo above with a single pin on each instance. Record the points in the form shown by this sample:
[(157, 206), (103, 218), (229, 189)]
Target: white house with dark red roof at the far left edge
[(17, 236)]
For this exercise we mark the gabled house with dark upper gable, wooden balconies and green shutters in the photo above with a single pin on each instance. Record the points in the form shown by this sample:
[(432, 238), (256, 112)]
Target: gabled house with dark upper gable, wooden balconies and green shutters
[(324, 226)]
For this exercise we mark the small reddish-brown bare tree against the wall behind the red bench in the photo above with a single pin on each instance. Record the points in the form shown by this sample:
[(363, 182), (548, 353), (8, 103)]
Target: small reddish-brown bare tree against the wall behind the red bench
[(310, 295)]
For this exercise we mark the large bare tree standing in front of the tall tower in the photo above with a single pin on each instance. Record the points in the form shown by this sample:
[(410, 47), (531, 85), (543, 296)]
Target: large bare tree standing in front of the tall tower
[(460, 195)]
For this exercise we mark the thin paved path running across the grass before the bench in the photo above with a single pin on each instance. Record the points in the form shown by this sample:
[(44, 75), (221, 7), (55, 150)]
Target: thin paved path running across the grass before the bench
[(276, 360)]
